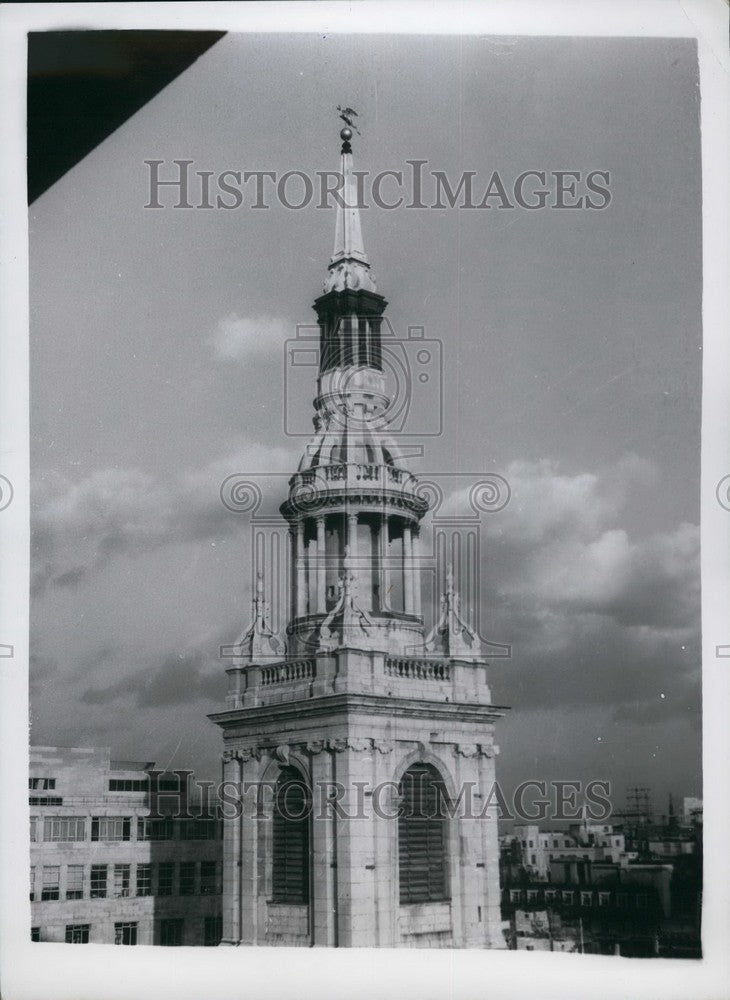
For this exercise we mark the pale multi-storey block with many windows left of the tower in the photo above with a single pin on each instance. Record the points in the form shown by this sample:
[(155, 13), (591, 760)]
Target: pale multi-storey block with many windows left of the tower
[(116, 855)]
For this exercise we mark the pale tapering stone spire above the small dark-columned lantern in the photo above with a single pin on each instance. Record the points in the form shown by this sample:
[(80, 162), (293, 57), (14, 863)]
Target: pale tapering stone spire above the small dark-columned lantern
[(349, 267)]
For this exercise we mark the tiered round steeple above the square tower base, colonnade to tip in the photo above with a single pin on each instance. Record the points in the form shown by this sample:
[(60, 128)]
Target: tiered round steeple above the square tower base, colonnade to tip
[(354, 509)]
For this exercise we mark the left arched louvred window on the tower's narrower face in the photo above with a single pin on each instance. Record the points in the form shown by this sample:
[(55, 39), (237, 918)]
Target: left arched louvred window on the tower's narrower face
[(290, 848)]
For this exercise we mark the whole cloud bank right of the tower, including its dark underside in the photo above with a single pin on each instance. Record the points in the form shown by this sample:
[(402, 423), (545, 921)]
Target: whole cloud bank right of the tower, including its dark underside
[(594, 616)]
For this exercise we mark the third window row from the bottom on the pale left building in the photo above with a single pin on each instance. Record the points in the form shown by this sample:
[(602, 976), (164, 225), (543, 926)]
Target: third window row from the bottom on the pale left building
[(65, 829)]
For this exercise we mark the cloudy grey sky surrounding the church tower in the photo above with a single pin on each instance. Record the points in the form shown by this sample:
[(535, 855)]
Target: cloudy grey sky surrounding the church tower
[(571, 349)]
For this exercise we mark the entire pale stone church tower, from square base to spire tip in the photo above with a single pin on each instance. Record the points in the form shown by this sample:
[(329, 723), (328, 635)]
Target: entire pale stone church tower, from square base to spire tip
[(359, 756)]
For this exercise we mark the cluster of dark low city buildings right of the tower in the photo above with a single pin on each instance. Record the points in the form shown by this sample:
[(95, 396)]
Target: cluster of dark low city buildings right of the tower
[(595, 888)]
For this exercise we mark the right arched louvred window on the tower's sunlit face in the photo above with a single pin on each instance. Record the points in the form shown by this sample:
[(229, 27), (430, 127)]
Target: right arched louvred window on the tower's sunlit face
[(422, 853)]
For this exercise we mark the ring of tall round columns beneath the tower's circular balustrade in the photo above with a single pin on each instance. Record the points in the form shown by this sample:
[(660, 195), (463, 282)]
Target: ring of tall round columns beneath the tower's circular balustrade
[(384, 561)]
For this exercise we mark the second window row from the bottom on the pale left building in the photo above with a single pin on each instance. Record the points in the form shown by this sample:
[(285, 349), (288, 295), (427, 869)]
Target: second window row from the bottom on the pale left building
[(167, 878)]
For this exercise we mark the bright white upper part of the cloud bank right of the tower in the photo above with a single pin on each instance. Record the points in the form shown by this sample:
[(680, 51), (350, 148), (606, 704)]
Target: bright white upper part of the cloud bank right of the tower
[(565, 546)]
